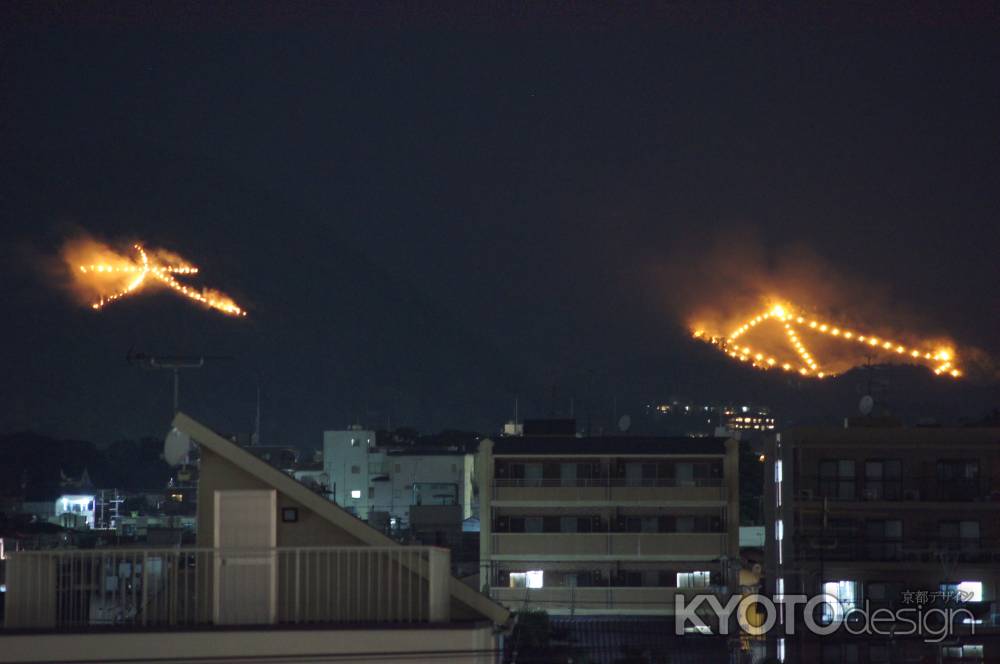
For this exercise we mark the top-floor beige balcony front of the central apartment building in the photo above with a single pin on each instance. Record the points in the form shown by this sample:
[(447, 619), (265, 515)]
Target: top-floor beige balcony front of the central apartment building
[(605, 490)]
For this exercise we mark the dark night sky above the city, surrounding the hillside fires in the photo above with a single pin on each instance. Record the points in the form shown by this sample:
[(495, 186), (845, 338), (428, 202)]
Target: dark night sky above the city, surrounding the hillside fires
[(427, 220)]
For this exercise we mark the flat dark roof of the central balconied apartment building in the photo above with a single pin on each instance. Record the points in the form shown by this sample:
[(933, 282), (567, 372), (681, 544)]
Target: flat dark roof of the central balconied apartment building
[(613, 445)]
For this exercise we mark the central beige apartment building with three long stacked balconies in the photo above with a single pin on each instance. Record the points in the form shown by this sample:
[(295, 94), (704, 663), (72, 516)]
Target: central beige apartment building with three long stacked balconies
[(607, 525)]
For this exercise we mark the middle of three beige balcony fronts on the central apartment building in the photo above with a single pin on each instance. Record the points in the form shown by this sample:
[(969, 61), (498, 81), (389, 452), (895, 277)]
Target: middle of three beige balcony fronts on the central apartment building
[(676, 546)]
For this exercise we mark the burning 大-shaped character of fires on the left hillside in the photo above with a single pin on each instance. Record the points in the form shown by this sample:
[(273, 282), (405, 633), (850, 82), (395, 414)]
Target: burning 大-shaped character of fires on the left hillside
[(144, 267)]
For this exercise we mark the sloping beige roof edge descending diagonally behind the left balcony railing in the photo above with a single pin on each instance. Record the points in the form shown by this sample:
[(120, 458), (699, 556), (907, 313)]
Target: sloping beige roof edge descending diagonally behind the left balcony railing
[(323, 507)]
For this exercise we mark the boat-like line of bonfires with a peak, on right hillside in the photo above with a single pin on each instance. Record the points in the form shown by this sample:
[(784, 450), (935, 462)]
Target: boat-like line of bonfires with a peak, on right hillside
[(940, 360)]
